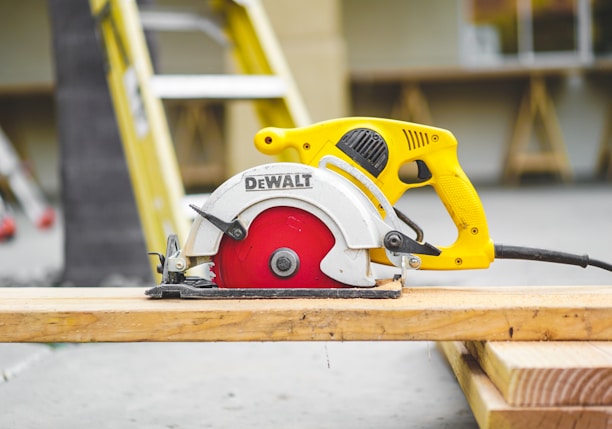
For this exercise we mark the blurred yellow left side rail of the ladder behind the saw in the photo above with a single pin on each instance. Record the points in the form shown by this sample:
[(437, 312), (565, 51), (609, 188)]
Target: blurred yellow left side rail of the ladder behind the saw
[(142, 124)]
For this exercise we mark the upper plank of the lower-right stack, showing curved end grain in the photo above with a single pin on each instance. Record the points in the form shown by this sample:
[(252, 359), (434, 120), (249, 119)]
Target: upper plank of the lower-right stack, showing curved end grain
[(548, 373)]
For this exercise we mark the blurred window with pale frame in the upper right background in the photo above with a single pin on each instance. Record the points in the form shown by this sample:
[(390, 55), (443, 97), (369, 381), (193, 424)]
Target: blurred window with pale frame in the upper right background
[(559, 32)]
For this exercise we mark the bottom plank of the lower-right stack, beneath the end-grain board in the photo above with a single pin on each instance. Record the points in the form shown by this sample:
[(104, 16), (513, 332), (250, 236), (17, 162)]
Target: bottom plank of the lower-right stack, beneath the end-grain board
[(491, 411)]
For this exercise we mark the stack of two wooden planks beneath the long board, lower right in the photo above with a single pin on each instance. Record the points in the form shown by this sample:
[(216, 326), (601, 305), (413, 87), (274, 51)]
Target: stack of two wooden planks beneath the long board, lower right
[(535, 384)]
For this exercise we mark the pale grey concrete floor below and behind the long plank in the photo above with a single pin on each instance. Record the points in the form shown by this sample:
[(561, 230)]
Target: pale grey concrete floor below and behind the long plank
[(296, 385)]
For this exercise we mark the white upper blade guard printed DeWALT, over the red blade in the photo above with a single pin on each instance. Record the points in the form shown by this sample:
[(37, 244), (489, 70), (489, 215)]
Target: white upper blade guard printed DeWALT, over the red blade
[(351, 217)]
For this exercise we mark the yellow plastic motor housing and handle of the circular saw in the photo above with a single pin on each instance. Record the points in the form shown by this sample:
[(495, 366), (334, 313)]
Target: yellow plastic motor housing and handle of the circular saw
[(406, 142)]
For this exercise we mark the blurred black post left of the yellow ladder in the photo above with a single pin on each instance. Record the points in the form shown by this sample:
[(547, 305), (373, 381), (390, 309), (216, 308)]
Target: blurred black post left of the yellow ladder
[(104, 244)]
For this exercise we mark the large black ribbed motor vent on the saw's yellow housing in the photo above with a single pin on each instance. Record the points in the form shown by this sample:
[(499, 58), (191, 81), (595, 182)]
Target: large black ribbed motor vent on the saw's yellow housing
[(367, 148)]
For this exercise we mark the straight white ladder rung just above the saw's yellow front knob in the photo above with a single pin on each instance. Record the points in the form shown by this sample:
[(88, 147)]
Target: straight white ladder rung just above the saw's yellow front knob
[(246, 87)]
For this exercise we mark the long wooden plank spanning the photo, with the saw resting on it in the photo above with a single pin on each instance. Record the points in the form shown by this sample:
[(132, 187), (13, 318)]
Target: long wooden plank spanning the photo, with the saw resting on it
[(441, 313)]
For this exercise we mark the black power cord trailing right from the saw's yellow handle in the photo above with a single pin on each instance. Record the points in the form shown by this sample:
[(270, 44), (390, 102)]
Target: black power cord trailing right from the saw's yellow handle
[(543, 255)]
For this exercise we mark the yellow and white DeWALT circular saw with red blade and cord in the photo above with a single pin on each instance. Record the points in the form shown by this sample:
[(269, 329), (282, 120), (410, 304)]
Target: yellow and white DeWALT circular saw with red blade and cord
[(322, 227)]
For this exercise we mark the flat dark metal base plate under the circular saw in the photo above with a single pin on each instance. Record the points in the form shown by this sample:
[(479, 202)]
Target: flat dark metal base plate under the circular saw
[(384, 290)]
